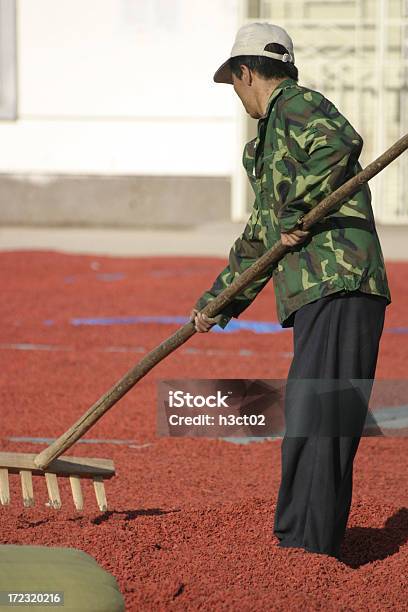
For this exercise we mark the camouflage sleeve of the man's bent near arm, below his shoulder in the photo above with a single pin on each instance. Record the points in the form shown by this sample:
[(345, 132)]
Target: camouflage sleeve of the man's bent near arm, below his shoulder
[(321, 149)]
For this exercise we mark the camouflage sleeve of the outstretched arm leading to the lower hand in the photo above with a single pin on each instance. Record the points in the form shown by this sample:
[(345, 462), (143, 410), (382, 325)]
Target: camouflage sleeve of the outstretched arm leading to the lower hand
[(244, 252)]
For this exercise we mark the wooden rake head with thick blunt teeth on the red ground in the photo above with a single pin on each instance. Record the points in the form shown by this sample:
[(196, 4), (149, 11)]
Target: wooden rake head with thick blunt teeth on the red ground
[(73, 468)]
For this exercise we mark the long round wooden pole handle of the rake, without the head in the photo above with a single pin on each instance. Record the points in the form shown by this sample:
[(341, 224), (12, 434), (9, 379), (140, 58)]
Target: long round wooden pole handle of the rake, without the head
[(214, 307)]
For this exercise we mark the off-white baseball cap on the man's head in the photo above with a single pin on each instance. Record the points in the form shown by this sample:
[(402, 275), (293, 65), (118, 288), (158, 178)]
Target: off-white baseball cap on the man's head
[(252, 39)]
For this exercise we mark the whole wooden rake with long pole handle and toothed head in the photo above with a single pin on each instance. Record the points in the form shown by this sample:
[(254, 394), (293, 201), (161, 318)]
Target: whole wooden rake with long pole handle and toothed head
[(47, 463)]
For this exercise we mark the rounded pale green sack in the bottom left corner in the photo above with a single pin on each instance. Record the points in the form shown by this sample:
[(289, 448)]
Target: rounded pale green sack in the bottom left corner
[(33, 569)]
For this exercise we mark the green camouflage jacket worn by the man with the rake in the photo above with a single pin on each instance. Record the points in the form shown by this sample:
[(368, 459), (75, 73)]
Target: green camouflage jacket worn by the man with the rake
[(304, 150)]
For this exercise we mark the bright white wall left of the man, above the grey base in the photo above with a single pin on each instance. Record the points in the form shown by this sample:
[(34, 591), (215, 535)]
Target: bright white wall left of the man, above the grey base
[(122, 87)]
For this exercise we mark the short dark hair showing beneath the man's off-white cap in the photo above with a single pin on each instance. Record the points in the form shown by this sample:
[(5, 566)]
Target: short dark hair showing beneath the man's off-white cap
[(266, 67)]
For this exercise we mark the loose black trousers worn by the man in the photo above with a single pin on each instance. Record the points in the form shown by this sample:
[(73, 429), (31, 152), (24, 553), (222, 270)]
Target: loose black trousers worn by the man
[(335, 337)]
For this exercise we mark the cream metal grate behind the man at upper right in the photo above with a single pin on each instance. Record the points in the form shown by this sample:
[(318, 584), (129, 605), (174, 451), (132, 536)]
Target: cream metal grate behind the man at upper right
[(356, 53)]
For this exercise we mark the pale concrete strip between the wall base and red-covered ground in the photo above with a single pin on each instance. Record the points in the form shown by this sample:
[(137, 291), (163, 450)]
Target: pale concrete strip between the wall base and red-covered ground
[(210, 239)]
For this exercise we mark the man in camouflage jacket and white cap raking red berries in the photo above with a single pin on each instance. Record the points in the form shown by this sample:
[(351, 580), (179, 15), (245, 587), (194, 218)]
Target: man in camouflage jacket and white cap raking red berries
[(331, 286)]
